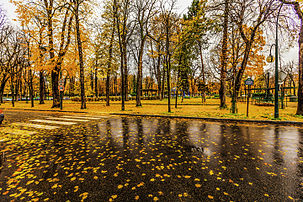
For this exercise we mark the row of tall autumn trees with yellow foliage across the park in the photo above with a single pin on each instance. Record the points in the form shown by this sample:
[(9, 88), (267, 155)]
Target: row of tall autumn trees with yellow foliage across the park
[(79, 40)]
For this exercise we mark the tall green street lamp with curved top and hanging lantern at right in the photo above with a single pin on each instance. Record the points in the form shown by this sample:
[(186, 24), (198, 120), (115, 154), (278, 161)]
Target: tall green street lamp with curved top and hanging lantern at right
[(270, 59)]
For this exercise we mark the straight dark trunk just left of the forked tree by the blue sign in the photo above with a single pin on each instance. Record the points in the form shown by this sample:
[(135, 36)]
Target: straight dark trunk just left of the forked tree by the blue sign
[(222, 91)]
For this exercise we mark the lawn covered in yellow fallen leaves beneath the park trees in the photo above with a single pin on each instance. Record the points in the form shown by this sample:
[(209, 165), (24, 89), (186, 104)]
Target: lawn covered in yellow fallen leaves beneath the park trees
[(191, 108)]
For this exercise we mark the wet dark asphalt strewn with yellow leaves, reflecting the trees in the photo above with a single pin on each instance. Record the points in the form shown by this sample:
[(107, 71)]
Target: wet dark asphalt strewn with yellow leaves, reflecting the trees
[(127, 159)]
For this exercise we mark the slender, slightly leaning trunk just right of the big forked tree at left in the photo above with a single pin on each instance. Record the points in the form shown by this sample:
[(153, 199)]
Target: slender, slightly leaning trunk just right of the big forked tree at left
[(80, 52)]
